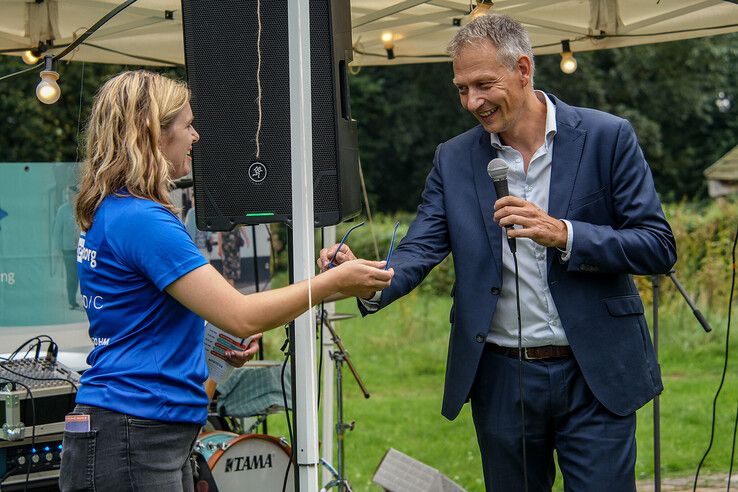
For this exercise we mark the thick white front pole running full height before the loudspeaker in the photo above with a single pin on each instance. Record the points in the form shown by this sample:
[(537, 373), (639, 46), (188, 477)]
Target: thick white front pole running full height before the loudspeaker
[(305, 446)]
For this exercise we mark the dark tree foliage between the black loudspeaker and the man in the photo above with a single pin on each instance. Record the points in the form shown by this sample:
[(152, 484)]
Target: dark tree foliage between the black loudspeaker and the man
[(403, 113)]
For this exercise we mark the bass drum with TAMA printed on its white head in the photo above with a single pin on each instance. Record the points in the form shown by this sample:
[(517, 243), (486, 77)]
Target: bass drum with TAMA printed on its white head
[(246, 463)]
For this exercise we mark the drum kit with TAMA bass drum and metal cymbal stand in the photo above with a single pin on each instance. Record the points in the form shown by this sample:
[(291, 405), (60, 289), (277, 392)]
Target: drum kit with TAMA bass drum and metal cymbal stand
[(249, 462)]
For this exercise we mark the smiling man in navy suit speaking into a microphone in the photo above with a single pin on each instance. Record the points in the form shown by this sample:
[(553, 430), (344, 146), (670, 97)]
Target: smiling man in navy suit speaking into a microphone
[(585, 216)]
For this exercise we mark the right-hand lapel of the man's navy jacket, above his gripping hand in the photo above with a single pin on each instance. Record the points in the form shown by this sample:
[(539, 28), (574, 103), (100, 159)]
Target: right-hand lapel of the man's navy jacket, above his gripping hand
[(567, 155)]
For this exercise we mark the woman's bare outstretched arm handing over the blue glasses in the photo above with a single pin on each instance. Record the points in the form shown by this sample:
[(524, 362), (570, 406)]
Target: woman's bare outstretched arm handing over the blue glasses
[(205, 292)]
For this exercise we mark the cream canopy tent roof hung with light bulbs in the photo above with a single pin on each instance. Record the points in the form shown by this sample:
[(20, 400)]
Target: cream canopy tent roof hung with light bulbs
[(150, 31)]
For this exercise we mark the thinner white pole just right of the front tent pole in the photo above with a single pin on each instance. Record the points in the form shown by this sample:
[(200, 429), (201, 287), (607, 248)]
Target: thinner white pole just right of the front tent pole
[(329, 237)]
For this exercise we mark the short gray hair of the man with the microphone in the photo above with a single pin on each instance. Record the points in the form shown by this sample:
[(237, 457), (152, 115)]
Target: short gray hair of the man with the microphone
[(505, 33)]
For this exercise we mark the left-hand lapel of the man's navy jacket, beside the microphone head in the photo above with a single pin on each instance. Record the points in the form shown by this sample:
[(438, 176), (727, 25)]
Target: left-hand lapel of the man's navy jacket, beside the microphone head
[(481, 154)]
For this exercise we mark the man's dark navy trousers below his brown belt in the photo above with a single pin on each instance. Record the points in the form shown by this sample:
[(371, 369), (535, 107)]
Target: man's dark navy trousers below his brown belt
[(596, 449)]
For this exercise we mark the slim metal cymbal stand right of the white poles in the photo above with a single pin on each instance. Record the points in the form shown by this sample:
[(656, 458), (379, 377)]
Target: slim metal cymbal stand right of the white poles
[(340, 356)]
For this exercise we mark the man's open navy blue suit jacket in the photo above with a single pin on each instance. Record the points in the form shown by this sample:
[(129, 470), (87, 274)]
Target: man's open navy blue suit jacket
[(600, 182)]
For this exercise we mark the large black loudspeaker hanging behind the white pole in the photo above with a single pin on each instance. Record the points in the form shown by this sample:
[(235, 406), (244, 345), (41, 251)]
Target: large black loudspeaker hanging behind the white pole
[(237, 58)]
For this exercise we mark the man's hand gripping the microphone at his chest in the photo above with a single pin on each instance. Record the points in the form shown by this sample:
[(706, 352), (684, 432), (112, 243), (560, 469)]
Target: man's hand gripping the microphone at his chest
[(536, 224)]
